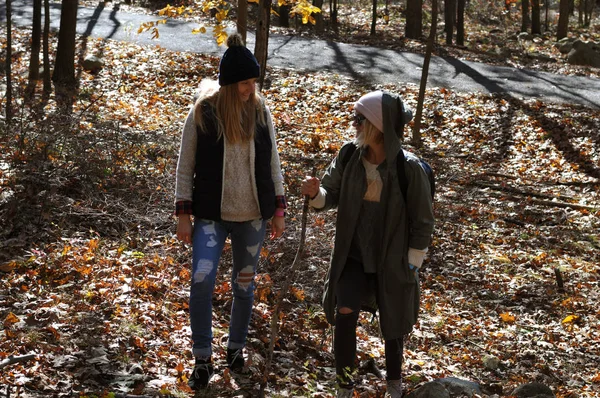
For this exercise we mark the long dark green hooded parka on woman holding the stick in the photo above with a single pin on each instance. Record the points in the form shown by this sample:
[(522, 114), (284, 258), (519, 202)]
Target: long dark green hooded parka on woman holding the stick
[(345, 186)]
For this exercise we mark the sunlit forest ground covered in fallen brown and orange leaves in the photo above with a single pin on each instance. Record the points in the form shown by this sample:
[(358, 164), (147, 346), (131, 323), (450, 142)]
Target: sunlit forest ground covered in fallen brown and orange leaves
[(93, 282)]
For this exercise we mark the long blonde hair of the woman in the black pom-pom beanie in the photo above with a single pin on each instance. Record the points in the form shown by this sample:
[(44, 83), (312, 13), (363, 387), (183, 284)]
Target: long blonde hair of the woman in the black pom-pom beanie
[(236, 119)]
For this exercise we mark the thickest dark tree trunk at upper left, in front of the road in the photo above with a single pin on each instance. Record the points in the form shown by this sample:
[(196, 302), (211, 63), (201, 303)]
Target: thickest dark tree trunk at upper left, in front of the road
[(64, 66)]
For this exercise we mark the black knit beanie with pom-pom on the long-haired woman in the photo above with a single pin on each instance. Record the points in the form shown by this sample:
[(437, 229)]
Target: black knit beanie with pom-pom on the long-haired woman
[(238, 63)]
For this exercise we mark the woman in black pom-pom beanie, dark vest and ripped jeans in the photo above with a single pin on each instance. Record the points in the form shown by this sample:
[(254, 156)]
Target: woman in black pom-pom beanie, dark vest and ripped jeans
[(228, 184)]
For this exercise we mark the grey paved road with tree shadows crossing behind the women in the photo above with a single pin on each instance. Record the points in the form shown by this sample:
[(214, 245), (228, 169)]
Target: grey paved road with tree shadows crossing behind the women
[(370, 64)]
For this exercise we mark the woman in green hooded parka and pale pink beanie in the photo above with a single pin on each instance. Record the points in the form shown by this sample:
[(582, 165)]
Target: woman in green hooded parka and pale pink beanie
[(381, 236)]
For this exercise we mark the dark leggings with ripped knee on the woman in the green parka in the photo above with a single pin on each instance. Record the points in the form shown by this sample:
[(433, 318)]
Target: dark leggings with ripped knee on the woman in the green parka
[(351, 286)]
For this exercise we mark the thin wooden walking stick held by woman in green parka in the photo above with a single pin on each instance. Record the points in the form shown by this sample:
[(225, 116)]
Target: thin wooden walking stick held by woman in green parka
[(283, 292)]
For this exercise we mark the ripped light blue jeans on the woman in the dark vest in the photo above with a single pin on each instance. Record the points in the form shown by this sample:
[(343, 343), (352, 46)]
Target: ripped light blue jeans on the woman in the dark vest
[(208, 241)]
